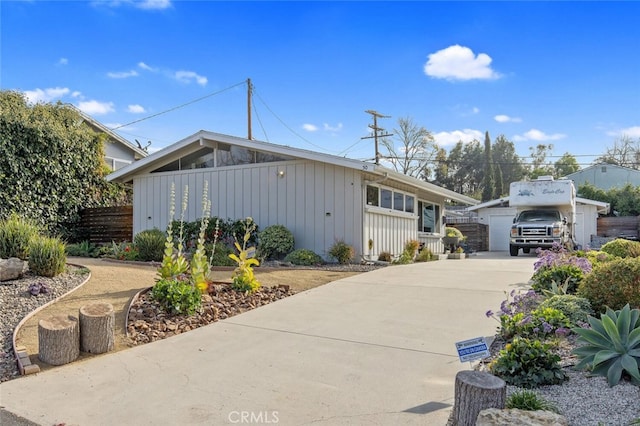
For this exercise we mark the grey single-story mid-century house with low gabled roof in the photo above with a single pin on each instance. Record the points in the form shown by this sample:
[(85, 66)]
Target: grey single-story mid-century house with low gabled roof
[(320, 198)]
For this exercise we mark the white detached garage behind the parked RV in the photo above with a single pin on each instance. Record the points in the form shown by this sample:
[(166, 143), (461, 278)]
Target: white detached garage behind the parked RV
[(498, 215)]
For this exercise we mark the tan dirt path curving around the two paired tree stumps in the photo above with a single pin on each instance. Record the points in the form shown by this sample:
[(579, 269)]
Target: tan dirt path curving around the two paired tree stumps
[(117, 283)]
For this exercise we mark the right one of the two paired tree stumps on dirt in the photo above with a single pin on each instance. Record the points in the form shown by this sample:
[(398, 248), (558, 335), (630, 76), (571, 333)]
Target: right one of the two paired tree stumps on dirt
[(97, 328)]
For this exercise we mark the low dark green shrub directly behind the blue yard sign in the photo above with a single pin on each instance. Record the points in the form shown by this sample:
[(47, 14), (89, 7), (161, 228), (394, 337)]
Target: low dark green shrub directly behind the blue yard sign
[(528, 364)]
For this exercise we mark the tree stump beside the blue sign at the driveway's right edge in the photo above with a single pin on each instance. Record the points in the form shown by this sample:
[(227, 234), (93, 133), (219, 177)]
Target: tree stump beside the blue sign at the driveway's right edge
[(474, 392)]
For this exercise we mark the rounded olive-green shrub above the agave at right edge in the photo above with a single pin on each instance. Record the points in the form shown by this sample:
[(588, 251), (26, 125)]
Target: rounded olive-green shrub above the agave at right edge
[(613, 284)]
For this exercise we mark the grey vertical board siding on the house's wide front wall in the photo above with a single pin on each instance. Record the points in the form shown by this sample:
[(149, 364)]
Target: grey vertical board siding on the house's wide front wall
[(319, 203)]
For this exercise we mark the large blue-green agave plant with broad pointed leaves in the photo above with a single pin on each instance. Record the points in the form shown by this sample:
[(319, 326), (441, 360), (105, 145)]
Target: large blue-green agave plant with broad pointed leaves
[(611, 345)]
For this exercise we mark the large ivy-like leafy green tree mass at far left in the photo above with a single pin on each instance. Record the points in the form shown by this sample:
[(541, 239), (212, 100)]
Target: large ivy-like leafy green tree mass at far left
[(52, 163)]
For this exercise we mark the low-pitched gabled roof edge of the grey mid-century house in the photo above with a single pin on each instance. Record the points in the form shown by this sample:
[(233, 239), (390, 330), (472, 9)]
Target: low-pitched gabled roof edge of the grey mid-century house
[(205, 138)]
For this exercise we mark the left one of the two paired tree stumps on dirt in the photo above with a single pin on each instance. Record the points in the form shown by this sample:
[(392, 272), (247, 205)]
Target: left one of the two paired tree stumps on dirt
[(59, 339)]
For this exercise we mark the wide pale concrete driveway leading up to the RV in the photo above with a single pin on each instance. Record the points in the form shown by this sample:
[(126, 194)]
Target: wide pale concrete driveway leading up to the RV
[(373, 349)]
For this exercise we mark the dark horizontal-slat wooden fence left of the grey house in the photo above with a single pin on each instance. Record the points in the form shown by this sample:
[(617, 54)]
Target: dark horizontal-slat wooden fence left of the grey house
[(107, 224)]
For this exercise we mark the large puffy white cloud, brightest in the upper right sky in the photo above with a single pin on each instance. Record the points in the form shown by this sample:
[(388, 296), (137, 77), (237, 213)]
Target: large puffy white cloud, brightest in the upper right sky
[(459, 63)]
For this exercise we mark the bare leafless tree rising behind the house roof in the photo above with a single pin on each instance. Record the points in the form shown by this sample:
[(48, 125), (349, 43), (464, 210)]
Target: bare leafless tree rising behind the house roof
[(411, 150)]
